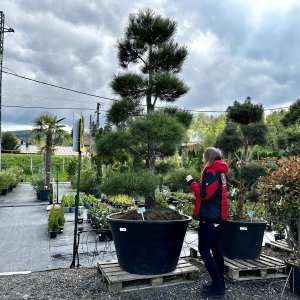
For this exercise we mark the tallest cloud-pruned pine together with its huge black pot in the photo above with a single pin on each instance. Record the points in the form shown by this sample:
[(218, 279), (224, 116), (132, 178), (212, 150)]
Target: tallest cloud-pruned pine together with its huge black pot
[(152, 245)]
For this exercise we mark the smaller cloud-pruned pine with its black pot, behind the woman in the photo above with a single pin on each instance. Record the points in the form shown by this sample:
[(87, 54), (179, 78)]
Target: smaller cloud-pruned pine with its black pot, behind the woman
[(242, 234)]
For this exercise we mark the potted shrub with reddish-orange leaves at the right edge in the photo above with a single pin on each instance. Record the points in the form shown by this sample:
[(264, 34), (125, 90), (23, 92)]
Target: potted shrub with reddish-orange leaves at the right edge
[(280, 194)]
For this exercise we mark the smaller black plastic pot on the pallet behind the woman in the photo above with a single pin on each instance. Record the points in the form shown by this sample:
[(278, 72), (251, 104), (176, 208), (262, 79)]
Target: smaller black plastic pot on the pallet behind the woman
[(242, 240)]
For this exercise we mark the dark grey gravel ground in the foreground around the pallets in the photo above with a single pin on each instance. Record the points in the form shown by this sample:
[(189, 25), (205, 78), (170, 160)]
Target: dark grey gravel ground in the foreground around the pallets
[(85, 283)]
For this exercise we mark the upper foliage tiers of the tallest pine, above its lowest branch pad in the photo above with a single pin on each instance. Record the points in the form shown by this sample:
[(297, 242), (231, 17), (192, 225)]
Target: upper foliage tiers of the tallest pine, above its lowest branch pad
[(140, 129)]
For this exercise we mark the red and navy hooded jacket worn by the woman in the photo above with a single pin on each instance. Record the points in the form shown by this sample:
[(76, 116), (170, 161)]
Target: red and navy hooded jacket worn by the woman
[(211, 193)]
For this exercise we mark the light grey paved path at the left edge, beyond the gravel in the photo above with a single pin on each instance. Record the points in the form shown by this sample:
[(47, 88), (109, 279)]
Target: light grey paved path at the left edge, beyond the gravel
[(24, 244)]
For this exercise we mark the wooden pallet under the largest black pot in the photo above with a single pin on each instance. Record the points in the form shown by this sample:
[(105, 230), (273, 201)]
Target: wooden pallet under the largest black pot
[(120, 280)]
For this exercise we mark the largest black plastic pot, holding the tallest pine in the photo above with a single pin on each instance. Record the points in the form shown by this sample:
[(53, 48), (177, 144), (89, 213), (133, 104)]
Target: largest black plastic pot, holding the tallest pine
[(148, 247)]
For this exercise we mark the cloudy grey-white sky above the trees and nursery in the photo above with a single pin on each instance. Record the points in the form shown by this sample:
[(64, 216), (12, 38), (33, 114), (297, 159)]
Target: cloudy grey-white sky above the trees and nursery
[(237, 48)]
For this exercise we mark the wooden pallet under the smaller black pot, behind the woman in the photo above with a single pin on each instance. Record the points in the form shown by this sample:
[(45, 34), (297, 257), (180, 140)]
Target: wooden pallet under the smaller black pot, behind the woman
[(265, 267)]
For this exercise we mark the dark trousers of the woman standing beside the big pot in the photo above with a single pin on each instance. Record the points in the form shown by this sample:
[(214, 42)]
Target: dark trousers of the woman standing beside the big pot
[(209, 241)]
